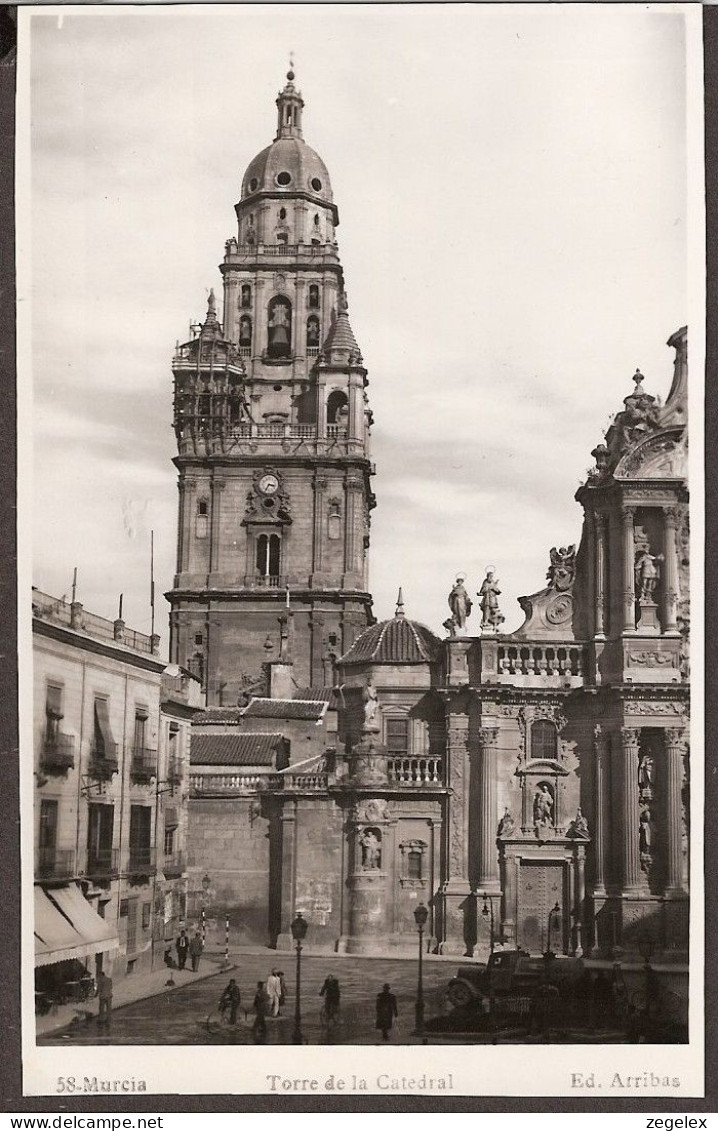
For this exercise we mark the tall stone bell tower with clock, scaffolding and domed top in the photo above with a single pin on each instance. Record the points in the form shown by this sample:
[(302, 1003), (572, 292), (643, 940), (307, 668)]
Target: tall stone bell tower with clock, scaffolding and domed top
[(273, 421)]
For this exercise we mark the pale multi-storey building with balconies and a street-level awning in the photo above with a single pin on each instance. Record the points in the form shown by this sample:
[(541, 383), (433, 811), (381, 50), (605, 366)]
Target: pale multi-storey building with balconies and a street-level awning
[(111, 735)]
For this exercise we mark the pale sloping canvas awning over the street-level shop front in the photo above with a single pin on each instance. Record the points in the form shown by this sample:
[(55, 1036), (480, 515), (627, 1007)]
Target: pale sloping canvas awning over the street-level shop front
[(68, 927)]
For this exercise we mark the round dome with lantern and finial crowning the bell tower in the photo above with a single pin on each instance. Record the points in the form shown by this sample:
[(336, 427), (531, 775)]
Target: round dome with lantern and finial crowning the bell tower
[(289, 165)]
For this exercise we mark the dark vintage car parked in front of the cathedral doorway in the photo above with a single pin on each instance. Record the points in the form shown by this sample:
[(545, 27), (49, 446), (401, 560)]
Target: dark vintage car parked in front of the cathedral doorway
[(511, 972)]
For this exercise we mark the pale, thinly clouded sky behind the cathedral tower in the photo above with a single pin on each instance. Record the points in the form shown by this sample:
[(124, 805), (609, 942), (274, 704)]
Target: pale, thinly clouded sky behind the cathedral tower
[(513, 203)]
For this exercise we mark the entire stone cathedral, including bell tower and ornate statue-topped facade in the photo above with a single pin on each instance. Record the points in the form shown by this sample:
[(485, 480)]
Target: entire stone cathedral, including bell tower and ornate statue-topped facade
[(531, 789)]
